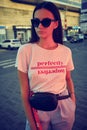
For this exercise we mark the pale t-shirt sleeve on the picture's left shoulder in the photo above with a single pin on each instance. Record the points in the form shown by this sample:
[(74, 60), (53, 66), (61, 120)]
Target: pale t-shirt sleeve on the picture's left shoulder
[(23, 58)]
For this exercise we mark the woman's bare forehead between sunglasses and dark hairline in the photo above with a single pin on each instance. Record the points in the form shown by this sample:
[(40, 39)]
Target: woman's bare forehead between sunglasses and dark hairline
[(43, 13)]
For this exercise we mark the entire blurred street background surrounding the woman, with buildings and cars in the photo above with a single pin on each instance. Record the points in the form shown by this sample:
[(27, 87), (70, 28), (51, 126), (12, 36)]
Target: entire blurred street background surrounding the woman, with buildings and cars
[(15, 29)]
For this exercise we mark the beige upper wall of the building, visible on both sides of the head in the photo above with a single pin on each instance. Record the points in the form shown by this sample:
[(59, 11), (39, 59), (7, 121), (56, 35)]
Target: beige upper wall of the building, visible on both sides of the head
[(12, 13)]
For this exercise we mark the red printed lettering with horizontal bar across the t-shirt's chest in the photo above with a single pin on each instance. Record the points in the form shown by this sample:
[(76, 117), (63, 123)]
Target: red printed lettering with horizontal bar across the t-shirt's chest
[(49, 67)]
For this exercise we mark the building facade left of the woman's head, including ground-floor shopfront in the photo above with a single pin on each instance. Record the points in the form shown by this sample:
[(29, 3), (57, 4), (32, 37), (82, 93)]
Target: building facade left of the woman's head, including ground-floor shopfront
[(15, 20)]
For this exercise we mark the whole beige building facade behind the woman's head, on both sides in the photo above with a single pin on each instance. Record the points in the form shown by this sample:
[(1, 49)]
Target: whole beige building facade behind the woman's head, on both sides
[(15, 16)]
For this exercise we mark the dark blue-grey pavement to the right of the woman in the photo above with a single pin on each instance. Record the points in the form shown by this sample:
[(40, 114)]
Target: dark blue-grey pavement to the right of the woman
[(80, 80)]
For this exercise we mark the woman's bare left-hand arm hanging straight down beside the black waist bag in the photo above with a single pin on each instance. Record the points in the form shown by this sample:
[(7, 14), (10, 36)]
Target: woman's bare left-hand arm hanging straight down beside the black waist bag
[(24, 85)]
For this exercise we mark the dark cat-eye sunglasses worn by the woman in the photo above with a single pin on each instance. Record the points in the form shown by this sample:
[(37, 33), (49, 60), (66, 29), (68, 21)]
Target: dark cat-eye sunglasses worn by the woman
[(45, 22)]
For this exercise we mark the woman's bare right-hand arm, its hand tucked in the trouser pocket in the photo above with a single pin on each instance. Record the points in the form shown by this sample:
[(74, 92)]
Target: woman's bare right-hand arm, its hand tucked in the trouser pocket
[(70, 86)]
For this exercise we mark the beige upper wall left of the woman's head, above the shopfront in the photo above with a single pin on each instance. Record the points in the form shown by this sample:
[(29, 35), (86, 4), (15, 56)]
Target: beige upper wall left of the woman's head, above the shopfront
[(12, 13)]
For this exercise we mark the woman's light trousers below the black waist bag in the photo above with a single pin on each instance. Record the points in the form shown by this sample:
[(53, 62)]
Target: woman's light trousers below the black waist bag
[(62, 118)]
